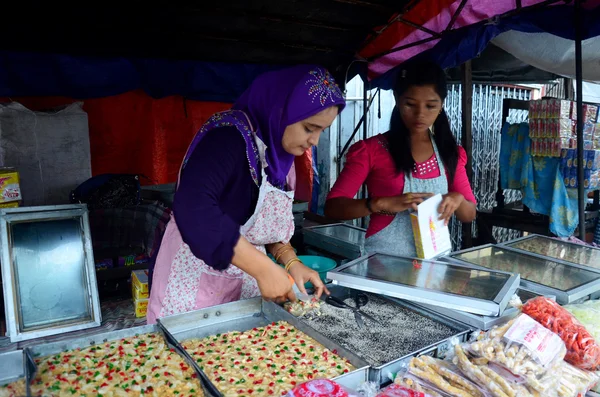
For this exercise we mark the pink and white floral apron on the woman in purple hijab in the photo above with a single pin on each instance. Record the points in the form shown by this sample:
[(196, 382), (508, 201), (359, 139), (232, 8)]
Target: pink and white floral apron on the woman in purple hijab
[(181, 282)]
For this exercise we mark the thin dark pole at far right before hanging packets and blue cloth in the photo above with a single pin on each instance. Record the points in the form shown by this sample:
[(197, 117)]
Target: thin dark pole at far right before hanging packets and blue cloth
[(581, 198)]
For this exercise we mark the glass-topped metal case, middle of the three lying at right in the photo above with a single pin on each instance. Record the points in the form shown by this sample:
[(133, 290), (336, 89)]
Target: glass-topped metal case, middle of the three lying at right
[(567, 282)]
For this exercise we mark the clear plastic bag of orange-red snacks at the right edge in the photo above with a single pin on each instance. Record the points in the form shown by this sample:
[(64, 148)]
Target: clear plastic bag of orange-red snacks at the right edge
[(582, 349)]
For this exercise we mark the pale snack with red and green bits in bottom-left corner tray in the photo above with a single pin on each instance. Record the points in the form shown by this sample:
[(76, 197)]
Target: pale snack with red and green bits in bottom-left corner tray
[(139, 365)]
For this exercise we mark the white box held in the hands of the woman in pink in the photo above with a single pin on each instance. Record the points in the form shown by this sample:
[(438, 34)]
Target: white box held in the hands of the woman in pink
[(432, 237)]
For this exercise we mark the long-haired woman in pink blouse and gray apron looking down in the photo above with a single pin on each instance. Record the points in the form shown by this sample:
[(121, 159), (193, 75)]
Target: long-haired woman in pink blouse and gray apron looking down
[(416, 159)]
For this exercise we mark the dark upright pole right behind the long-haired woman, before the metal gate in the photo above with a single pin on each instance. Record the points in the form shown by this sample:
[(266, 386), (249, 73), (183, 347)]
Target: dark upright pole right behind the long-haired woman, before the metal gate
[(467, 137)]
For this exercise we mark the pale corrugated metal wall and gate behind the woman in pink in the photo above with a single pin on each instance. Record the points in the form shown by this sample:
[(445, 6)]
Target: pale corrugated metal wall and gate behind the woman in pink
[(487, 120)]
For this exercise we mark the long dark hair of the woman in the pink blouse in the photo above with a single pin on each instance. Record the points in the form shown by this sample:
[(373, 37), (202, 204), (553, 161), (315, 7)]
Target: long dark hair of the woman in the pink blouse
[(421, 74)]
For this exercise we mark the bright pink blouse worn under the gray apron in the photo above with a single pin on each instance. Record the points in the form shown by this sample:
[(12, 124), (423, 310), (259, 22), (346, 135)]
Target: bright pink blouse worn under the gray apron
[(369, 161)]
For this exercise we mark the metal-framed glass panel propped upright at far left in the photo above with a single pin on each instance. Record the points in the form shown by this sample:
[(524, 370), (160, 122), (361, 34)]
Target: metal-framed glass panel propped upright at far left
[(48, 273)]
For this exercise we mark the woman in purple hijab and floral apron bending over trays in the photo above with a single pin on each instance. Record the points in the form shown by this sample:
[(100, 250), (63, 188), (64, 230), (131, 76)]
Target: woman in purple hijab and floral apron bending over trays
[(232, 205)]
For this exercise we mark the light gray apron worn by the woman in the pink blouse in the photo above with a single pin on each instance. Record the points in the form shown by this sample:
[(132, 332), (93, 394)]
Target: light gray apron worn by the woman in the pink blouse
[(397, 238)]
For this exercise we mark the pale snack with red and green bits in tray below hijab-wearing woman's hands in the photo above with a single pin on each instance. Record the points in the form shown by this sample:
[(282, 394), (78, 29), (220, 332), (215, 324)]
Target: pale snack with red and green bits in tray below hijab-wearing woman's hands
[(264, 361)]
